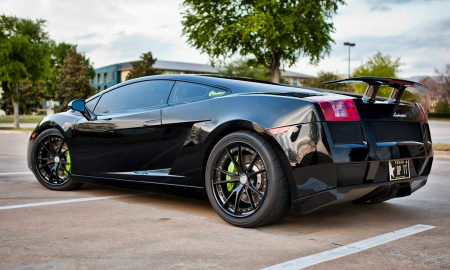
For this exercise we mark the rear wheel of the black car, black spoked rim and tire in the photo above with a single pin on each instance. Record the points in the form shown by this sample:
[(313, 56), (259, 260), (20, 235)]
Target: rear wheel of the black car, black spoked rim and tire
[(232, 186)]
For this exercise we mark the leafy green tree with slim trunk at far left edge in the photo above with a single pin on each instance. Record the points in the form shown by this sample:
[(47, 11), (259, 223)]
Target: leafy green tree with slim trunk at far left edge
[(24, 57)]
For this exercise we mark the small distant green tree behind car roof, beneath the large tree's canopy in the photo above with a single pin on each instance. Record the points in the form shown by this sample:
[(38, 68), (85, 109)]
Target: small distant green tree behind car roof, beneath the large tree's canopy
[(242, 68)]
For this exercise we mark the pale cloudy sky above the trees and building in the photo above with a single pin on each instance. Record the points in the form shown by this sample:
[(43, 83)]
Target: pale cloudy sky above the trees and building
[(113, 31)]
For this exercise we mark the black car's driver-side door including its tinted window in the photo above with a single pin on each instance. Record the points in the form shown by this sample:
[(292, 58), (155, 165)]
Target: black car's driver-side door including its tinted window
[(120, 143)]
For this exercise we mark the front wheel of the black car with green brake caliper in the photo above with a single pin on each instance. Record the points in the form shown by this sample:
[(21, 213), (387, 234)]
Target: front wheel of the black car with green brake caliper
[(50, 160)]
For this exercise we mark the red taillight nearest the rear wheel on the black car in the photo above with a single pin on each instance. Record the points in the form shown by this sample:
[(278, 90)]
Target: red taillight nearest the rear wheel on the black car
[(337, 109)]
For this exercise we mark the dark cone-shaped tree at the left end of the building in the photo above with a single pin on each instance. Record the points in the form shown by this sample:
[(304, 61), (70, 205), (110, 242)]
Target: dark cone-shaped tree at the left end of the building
[(73, 80)]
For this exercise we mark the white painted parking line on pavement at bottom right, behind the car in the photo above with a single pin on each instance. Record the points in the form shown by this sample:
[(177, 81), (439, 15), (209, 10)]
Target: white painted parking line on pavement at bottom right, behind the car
[(349, 249)]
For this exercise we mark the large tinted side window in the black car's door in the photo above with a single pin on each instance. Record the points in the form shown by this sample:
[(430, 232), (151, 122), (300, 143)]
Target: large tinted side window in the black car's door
[(135, 96)]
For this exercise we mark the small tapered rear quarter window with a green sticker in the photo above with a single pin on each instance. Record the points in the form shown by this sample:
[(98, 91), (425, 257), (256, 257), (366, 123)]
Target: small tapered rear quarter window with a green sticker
[(190, 91)]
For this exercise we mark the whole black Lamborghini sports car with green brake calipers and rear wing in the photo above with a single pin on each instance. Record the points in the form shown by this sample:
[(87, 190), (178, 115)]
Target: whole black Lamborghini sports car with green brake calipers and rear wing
[(256, 150)]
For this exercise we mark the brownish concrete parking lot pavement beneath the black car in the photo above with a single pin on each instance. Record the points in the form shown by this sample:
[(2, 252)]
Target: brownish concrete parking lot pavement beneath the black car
[(105, 228)]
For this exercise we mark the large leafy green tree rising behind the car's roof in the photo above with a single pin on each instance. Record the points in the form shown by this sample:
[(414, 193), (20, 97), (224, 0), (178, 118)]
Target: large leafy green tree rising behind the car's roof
[(272, 32)]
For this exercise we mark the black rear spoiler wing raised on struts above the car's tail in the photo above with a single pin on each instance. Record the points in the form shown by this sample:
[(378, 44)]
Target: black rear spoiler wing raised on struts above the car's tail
[(374, 83)]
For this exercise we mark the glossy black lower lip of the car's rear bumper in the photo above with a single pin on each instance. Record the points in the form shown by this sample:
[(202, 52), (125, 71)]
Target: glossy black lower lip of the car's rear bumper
[(375, 192)]
